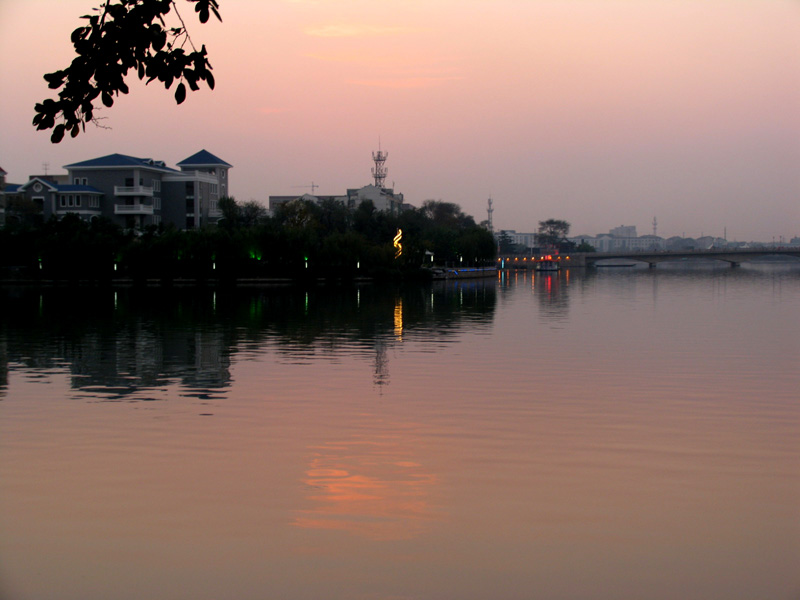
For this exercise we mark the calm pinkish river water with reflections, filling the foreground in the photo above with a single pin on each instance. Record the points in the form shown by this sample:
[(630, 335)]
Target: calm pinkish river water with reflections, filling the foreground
[(619, 434)]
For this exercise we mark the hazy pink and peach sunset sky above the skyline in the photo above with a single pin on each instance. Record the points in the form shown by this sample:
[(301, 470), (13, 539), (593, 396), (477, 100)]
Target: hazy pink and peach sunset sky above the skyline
[(599, 112)]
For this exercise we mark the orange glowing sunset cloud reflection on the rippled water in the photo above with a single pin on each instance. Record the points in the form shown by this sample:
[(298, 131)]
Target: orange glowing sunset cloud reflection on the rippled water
[(368, 487)]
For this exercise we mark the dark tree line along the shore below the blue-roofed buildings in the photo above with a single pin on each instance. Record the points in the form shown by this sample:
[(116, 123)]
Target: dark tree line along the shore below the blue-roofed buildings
[(301, 240)]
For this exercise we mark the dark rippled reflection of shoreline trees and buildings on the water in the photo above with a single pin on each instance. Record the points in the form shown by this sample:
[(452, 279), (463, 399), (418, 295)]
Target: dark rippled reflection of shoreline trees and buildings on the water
[(121, 344)]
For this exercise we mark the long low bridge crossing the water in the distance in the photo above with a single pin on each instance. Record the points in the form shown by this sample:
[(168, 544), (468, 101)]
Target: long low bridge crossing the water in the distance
[(590, 259)]
